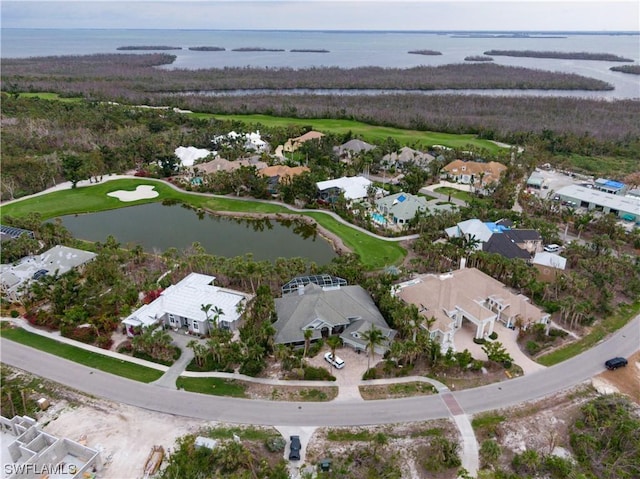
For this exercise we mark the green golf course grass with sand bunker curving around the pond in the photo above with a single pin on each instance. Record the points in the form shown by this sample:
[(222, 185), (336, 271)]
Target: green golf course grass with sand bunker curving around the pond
[(374, 253)]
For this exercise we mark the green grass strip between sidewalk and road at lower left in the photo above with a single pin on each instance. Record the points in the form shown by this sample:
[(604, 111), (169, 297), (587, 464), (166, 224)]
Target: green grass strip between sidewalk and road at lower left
[(78, 355)]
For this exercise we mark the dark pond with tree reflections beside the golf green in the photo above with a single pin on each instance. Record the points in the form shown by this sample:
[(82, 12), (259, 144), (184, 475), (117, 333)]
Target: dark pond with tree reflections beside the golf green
[(157, 227)]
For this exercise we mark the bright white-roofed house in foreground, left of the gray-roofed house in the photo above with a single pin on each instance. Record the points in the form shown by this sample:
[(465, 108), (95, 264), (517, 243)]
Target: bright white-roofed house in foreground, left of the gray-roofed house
[(180, 307)]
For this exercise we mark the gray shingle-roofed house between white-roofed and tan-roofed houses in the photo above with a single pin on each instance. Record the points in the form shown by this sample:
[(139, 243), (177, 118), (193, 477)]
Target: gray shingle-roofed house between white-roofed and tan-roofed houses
[(345, 310)]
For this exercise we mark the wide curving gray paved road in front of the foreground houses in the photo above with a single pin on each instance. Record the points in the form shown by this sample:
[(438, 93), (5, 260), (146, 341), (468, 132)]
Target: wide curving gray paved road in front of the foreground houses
[(246, 411)]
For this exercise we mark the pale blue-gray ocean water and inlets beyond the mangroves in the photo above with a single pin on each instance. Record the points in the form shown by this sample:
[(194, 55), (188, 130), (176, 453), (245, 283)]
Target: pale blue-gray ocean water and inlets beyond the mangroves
[(345, 49)]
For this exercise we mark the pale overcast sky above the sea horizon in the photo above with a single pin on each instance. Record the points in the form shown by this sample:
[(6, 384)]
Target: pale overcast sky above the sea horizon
[(471, 15)]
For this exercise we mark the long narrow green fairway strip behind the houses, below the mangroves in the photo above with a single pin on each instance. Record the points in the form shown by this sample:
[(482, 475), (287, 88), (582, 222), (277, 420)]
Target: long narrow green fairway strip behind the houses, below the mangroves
[(369, 133)]
